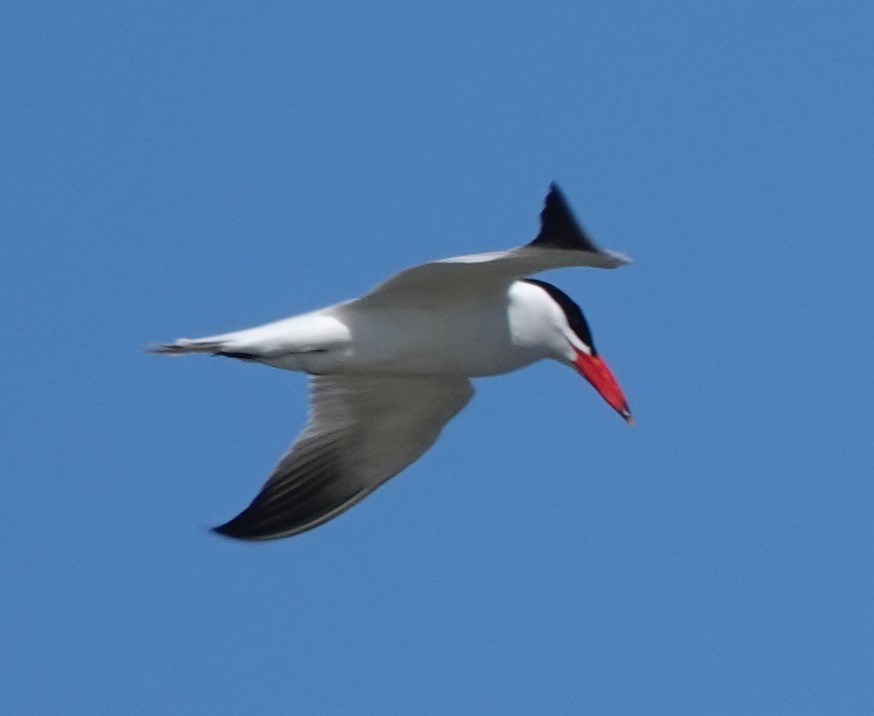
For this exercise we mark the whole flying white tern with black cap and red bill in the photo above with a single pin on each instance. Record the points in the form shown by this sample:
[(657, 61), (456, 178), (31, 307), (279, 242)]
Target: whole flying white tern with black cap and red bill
[(390, 369)]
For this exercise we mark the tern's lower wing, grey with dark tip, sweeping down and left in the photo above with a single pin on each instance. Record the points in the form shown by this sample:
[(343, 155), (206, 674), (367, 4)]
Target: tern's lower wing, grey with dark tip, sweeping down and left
[(361, 432)]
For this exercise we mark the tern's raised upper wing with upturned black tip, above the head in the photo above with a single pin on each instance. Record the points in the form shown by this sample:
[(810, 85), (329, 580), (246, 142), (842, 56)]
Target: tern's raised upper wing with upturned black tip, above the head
[(562, 242)]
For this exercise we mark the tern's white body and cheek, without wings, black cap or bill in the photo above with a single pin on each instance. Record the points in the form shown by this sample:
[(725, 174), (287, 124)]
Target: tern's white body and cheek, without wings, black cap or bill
[(465, 338)]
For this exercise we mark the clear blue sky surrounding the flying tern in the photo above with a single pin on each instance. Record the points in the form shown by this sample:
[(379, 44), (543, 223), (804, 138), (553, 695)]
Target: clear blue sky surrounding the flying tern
[(182, 168)]
